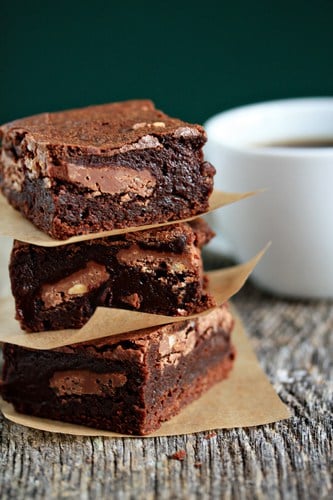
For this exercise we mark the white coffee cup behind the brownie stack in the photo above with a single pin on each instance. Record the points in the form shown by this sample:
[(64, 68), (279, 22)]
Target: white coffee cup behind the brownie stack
[(296, 210)]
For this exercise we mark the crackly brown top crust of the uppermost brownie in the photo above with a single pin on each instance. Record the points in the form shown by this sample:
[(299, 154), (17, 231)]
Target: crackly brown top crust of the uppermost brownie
[(107, 126)]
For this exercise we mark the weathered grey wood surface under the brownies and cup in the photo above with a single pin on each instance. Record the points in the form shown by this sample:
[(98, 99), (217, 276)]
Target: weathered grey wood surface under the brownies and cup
[(290, 459)]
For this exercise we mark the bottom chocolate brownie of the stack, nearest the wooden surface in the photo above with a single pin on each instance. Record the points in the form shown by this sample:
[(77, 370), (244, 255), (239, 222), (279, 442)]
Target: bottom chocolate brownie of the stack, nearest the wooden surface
[(129, 383)]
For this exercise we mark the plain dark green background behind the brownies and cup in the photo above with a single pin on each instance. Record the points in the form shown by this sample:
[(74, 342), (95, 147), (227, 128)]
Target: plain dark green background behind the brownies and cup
[(192, 58)]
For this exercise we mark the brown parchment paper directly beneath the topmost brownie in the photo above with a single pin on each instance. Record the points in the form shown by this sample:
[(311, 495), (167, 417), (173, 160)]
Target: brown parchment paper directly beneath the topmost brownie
[(14, 225)]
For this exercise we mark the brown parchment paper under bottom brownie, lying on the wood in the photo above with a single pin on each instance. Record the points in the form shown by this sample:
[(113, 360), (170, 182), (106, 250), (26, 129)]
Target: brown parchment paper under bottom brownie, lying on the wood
[(245, 399)]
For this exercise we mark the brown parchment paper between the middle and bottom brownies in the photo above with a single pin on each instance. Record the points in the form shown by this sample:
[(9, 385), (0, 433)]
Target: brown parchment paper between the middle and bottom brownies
[(223, 284)]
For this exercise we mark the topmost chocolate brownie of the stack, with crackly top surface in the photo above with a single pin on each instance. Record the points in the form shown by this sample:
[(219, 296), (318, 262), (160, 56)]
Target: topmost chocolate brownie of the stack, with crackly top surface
[(104, 167)]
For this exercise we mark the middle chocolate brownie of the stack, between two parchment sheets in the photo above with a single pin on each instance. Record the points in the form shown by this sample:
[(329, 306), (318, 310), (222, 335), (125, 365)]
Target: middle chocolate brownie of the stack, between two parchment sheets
[(157, 271)]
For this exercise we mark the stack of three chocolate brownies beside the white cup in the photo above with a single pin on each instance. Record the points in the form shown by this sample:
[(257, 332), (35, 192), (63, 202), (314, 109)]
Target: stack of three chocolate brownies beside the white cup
[(79, 172)]
